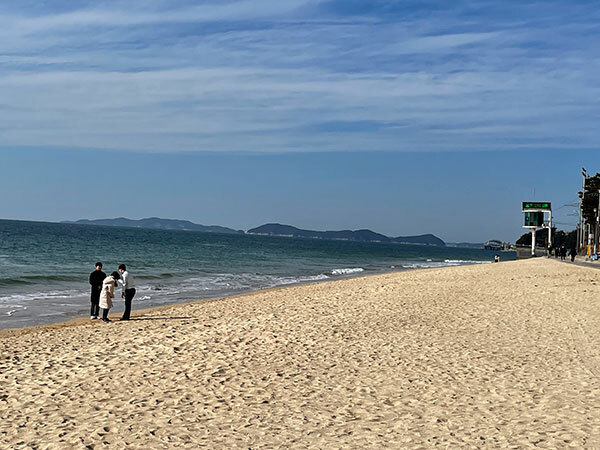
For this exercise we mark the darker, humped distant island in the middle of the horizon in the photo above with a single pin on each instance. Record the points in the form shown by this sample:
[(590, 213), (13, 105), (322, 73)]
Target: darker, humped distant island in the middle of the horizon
[(276, 229)]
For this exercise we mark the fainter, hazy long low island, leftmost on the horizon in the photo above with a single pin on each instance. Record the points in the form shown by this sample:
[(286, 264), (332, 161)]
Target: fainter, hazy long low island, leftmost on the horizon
[(157, 224)]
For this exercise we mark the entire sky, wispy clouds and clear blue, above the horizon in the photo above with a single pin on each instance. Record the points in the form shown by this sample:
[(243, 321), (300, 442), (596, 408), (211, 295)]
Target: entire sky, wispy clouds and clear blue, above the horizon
[(398, 116)]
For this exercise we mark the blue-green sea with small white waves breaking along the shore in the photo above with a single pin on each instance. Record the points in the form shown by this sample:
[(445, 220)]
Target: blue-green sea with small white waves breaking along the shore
[(44, 267)]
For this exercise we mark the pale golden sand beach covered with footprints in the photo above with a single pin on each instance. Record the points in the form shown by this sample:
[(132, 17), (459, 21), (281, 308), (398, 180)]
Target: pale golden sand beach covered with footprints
[(498, 355)]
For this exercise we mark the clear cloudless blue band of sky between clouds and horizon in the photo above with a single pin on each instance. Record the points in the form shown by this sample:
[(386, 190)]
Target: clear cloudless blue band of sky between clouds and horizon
[(458, 196)]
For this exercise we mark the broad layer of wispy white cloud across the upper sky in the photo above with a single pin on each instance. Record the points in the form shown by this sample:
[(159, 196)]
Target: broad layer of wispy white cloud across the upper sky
[(299, 75)]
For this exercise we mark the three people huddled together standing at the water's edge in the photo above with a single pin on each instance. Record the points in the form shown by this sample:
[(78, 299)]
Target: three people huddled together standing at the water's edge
[(103, 291)]
